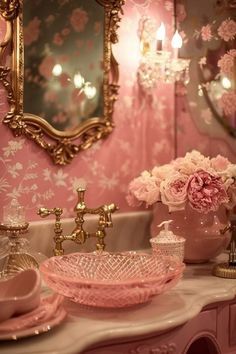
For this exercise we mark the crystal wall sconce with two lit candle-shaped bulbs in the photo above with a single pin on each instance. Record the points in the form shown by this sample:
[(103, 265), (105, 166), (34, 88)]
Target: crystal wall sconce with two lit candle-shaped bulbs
[(157, 64)]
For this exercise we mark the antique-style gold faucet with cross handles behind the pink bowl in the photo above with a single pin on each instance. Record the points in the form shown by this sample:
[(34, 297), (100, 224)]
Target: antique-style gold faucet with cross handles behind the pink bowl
[(79, 235)]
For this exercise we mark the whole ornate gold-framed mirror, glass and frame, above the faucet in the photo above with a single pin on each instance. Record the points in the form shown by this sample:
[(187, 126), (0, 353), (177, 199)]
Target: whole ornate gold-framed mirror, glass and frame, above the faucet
[(63, 83)]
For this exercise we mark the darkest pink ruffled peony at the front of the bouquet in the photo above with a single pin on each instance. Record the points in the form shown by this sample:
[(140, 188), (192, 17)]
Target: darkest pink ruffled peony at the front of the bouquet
[(206, 192)]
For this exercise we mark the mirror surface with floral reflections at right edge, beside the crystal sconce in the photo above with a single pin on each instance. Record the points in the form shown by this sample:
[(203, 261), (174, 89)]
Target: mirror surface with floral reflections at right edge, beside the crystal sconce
[(211, 44)]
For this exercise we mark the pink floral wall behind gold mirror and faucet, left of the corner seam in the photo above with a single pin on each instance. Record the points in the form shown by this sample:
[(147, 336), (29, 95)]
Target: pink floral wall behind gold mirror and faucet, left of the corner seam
[(143, 136)]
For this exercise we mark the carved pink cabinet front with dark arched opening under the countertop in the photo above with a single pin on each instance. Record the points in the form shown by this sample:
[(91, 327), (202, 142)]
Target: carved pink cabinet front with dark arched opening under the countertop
[(175, 341)]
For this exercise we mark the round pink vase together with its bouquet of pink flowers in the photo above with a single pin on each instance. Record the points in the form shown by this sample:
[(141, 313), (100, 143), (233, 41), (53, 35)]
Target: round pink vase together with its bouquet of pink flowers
[(197, 190)]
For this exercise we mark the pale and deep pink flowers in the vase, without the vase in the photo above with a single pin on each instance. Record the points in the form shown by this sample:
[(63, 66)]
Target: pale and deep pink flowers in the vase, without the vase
[(200, 182)]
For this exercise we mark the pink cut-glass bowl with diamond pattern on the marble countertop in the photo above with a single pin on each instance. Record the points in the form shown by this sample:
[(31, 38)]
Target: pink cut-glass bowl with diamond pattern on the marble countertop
[(111, 279)]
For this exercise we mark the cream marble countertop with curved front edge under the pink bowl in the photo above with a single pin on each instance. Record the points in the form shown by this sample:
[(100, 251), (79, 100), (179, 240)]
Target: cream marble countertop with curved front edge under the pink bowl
[(85, 326)]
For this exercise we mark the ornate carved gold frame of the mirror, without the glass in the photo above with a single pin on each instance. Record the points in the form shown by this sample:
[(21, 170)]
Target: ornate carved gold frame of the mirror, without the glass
[(59, 145)]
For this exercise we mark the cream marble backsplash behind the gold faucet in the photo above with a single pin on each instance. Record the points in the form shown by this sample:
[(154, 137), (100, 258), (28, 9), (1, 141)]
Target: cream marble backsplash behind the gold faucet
[(130, 231)]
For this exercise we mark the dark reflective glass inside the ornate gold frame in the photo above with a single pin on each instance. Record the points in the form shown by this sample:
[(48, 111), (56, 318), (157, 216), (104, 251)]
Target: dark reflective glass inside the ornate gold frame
[(63, 54)]
